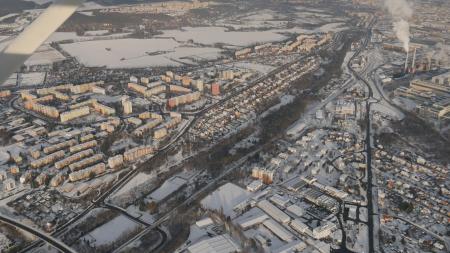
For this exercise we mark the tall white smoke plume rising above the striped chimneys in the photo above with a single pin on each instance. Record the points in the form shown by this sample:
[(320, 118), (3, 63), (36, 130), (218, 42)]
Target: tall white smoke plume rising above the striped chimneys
[(401, 12)]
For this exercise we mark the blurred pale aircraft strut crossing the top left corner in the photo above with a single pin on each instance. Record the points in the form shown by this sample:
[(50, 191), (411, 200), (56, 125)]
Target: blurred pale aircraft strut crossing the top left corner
[(24, 45)]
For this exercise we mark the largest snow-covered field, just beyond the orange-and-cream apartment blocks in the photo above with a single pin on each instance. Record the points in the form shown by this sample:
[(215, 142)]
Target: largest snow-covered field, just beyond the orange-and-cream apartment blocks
[(136, 53)]
